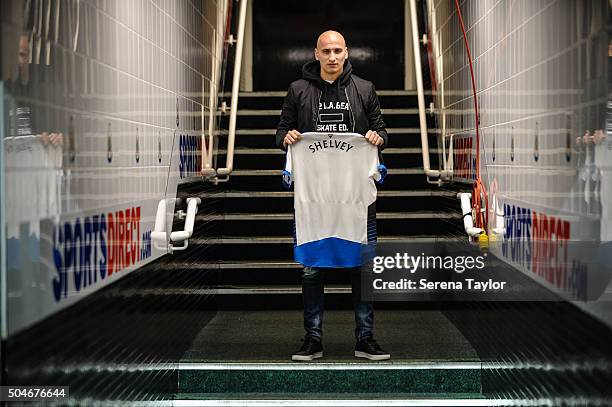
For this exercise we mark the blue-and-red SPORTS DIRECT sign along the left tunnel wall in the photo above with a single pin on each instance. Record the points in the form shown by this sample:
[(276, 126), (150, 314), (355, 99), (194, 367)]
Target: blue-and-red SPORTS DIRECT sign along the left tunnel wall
[(53, 263)]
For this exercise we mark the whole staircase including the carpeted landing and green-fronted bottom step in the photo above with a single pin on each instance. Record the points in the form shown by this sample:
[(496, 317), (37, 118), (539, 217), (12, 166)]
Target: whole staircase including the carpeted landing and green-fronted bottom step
[(244, 233)]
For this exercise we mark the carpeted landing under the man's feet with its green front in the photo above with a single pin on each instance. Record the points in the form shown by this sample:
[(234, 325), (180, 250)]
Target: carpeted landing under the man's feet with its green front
[(246, 351)]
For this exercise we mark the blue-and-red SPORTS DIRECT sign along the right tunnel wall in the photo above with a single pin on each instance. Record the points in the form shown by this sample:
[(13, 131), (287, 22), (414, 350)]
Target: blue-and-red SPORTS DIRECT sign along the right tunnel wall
[(556, 251)]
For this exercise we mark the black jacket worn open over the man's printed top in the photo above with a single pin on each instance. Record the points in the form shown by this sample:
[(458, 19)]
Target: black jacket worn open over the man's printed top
[(301, 105)]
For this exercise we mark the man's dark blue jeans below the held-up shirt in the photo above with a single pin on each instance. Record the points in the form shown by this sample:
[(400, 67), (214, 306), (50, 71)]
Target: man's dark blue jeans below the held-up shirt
[(312, 293)]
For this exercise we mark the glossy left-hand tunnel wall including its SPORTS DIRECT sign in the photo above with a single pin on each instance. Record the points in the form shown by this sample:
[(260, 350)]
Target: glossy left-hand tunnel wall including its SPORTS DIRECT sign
[(127, 84)]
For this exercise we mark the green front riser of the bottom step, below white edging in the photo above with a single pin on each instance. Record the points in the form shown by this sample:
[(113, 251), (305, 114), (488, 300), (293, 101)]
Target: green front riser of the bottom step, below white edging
[(380, 379)]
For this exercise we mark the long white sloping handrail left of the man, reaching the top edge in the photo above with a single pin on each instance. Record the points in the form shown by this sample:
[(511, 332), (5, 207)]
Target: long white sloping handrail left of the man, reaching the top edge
[(229, 164)]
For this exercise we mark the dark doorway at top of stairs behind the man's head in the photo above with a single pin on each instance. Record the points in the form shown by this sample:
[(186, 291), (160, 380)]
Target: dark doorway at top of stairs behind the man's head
[(285, 34)]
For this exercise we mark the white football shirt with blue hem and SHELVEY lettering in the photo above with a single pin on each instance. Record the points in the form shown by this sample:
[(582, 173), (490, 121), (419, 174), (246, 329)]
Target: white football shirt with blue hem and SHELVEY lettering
[(334, 198)]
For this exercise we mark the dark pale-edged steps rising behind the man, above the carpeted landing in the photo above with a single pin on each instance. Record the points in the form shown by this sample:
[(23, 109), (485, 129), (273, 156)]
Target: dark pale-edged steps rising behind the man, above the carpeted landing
[(249, 219)]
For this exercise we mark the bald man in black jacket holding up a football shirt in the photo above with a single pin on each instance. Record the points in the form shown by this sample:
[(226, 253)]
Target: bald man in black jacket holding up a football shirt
[(328, 88)]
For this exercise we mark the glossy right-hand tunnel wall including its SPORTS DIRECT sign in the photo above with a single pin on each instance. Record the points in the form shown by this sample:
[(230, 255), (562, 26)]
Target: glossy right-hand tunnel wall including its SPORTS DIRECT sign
[(542, 71)]
